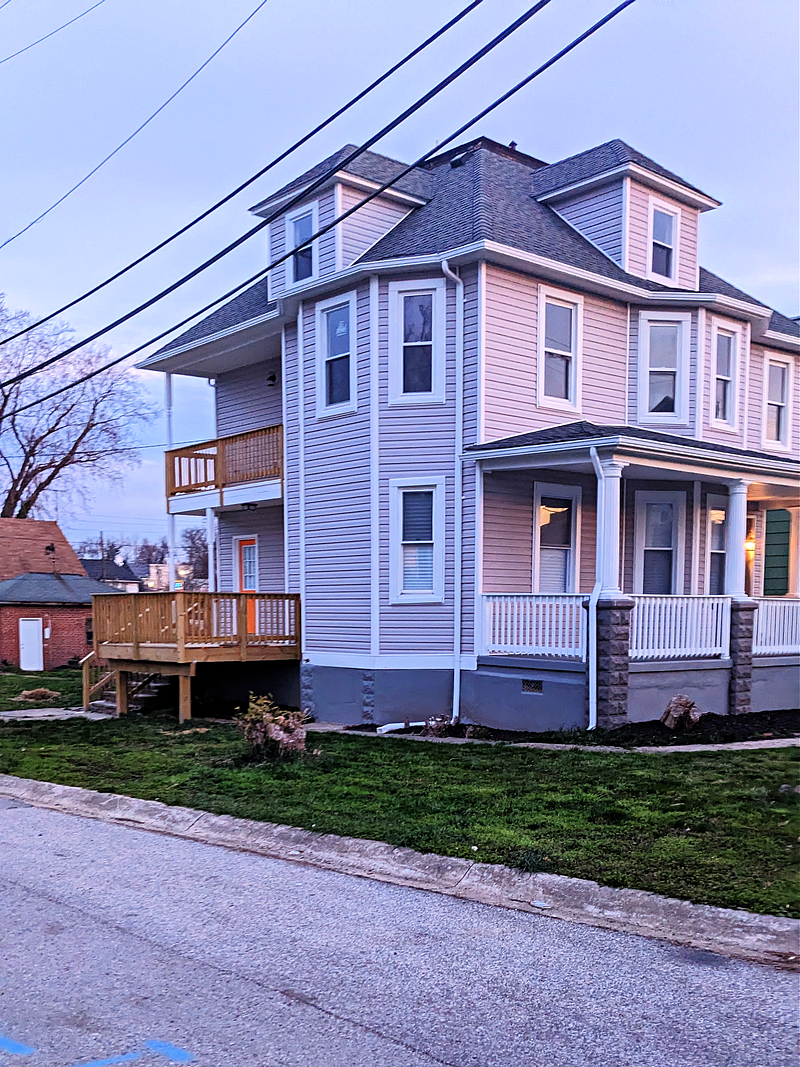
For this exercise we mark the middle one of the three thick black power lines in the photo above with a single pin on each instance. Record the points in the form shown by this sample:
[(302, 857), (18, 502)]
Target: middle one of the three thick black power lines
[(300, 196)]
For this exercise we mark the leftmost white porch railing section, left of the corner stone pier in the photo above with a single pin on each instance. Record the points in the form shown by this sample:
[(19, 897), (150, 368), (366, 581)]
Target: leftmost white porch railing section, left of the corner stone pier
[(535, 625)]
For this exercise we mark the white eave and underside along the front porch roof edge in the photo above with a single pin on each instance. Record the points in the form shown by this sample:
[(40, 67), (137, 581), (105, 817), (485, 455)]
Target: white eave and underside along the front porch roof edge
[(684, 456)]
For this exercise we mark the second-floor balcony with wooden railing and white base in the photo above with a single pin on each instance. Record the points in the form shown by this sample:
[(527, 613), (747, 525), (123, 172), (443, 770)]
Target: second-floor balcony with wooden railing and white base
[(229, 471)]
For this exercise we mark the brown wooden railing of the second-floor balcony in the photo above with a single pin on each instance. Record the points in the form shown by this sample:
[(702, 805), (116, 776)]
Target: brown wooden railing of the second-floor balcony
[(257, 456)]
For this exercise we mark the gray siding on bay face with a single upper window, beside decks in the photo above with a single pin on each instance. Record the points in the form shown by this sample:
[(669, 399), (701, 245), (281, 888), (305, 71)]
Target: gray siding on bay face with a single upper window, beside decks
[(338, 515)]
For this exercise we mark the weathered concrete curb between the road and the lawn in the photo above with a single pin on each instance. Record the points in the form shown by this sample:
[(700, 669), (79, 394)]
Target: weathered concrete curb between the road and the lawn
[(743, 935)]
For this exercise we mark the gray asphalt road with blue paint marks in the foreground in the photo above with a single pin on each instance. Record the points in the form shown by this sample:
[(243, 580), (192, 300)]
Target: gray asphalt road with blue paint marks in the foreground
[(124, 947)]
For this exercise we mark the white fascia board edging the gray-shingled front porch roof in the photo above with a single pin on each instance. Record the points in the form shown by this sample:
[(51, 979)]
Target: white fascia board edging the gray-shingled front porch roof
[(647, 450)]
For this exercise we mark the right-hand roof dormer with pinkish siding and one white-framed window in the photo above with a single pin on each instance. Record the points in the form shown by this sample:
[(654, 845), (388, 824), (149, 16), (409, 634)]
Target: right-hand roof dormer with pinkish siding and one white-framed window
[(642, 216)]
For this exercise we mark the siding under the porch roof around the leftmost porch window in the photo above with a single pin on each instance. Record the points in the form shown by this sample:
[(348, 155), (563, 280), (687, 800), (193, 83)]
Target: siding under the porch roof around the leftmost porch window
[(508, 529)]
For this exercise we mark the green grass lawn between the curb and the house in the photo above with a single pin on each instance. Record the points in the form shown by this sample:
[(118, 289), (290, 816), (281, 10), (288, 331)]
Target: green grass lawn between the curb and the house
[(714, 829)]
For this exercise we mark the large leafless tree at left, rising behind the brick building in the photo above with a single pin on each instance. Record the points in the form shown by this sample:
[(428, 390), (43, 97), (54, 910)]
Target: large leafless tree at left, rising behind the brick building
[(72, 441)]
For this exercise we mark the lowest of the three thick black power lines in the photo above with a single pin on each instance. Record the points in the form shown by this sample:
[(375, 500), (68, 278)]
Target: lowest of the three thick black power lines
[(500, 101)]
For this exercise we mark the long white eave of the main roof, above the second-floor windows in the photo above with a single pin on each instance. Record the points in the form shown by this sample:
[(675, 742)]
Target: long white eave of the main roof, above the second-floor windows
[(189, 359)]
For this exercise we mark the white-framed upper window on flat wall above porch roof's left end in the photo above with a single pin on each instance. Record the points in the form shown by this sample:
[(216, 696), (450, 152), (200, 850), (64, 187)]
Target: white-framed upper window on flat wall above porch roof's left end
[(559, 349)]
